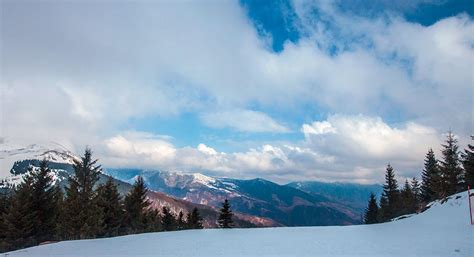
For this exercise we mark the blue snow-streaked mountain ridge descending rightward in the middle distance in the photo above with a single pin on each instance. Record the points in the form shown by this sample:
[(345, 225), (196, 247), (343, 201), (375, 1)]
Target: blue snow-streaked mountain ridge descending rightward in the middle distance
[(284, 204)]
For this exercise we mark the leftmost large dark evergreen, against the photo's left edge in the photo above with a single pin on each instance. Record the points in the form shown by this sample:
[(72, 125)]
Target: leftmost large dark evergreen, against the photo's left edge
[(19, 221)]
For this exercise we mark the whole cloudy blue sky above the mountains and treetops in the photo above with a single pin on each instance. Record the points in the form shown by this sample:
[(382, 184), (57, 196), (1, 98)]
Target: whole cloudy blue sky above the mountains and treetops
[(283, 90)]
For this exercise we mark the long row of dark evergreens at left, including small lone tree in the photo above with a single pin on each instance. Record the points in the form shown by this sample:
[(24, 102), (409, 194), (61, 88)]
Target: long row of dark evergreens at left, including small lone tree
[(37, 211)]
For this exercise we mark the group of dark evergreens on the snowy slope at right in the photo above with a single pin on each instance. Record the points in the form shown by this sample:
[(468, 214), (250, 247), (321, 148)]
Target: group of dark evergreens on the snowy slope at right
[(453, 173)]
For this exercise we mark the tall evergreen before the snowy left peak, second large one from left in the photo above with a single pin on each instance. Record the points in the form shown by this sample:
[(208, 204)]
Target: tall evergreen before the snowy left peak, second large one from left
[(44, 202)]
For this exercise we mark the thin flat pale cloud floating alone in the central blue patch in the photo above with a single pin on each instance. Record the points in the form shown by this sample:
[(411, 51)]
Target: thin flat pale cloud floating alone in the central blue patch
[(243, 120)]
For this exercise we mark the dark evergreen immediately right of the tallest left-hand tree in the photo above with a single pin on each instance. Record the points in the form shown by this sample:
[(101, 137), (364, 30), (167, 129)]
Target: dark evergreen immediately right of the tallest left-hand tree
[(109, 200)]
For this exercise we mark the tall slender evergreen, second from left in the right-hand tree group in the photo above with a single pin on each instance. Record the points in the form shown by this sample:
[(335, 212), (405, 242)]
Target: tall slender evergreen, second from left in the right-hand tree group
[(389, 202)]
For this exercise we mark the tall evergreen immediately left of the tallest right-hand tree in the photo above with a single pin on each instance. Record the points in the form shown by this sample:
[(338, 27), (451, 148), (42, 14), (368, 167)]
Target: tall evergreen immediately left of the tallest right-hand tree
[(431, 178)]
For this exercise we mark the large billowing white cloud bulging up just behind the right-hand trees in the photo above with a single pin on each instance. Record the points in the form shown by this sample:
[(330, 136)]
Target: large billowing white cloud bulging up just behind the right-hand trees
[(368, 143)]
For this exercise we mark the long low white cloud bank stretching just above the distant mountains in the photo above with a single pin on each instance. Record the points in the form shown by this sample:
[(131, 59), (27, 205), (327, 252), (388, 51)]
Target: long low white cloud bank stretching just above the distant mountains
[(341, 148)]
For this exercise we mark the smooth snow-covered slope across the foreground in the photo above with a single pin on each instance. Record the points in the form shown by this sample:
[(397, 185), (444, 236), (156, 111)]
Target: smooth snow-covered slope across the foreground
[(443, 230)]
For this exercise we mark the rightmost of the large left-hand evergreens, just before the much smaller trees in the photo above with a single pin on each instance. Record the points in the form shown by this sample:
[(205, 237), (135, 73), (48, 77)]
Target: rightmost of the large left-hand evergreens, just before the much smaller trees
[(136, 206)]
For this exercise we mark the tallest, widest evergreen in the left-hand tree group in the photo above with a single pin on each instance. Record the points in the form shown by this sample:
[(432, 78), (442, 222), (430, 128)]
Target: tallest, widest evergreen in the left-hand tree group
[(82, 215)]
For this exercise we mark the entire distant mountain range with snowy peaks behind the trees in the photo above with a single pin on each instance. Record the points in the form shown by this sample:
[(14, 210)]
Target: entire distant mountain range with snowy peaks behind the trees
[(256, 202)]
